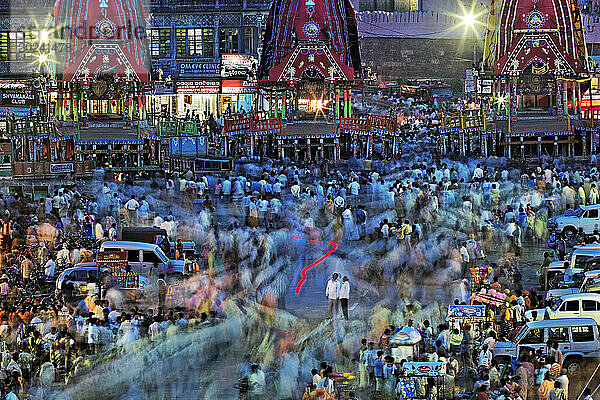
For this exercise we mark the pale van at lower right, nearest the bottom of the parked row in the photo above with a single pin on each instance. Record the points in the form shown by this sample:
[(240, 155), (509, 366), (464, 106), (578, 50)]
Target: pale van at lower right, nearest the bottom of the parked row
[(577, 339)]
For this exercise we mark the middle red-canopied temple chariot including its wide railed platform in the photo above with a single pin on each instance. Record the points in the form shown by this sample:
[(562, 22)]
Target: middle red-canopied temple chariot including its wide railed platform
[(309, 68)]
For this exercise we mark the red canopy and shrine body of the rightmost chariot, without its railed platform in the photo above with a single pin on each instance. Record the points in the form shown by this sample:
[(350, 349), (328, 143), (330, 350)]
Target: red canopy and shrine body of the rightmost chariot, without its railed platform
[(535, 53)]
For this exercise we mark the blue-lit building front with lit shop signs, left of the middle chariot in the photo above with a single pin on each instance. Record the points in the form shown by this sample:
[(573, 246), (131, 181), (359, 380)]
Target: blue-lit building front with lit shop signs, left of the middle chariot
[(204, 54)]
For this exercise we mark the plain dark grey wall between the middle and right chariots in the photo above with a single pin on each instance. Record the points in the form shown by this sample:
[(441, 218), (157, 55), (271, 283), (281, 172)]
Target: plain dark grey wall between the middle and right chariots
[(401, 58)]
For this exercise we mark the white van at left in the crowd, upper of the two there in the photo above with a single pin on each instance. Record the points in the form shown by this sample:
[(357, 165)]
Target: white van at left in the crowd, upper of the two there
[(146, 258)]
